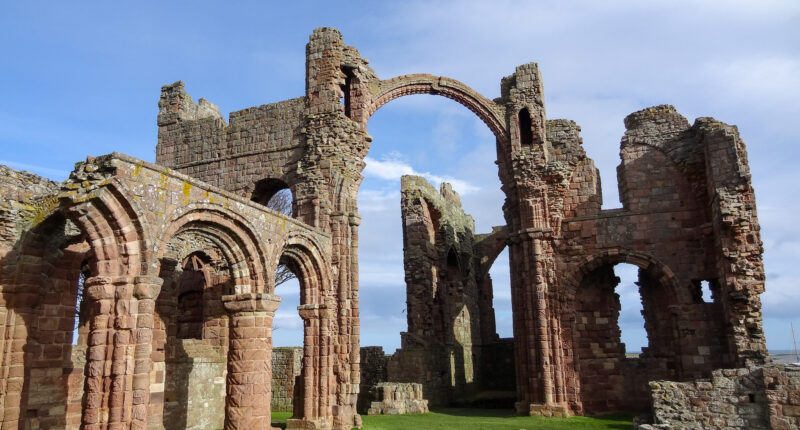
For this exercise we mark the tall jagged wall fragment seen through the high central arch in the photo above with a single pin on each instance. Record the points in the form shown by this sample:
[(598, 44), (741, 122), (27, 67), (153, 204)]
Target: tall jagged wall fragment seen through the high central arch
[(441, 292)]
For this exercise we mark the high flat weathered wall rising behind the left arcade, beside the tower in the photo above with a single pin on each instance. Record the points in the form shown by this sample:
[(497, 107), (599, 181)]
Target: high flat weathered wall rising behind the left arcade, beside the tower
[(259, 142)]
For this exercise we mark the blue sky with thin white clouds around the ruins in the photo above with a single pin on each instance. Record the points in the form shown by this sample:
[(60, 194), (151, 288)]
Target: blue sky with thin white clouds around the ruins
[(83, 78)]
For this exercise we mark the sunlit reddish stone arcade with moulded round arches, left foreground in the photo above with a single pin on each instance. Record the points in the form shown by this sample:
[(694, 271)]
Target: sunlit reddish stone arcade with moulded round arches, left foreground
[(130, 238)]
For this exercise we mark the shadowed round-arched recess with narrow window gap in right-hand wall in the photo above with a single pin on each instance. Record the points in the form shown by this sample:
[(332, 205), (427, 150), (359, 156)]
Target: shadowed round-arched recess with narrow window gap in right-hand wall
[(605, 378)]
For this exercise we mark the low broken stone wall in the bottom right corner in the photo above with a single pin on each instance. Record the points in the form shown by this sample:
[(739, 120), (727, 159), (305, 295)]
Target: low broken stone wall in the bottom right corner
[(746, 398)]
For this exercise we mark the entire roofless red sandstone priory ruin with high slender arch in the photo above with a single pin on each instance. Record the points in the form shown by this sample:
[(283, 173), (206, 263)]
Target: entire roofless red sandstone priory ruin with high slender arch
[(171, 264)]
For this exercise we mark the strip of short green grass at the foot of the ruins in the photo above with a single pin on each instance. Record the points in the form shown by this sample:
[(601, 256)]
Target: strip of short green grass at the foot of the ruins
[(474, 419)]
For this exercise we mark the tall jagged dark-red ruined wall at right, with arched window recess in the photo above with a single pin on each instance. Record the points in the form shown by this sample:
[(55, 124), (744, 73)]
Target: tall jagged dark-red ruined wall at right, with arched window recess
[(666, 228)]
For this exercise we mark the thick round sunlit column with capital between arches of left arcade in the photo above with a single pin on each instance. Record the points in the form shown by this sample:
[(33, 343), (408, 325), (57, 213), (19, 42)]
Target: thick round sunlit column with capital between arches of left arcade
[(249, 360)]
